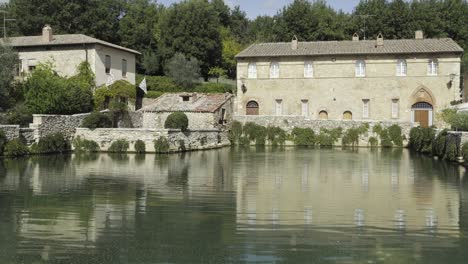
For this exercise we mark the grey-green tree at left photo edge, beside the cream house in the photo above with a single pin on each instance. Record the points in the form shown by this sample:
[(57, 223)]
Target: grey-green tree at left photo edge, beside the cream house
[(8, 62)]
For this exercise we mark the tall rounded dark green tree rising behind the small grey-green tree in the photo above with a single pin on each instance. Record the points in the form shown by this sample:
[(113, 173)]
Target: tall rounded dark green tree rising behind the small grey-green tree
[(192, 28)]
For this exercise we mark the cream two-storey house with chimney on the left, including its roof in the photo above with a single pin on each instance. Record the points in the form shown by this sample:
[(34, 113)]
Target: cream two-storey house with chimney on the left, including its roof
[(109, 62)]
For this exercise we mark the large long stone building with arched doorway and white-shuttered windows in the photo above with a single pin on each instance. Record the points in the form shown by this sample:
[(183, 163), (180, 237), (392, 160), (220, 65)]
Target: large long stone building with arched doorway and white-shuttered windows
[(406, 80)]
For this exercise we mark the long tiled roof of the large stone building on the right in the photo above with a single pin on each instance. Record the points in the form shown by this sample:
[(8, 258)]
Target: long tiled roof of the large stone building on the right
[(362, 47)]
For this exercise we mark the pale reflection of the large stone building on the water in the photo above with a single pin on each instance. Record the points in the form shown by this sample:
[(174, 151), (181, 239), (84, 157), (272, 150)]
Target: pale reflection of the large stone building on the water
[(370, 190)]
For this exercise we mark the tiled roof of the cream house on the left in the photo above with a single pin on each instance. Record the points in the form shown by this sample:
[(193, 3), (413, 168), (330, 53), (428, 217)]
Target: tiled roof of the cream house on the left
[(60, 40)]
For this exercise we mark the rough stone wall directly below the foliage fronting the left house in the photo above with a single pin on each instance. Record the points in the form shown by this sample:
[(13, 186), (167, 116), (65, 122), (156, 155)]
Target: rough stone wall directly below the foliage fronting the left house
[(44, 125)]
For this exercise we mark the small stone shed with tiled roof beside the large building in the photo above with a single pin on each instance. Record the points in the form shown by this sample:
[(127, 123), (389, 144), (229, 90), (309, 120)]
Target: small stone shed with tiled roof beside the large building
[(204, 111)]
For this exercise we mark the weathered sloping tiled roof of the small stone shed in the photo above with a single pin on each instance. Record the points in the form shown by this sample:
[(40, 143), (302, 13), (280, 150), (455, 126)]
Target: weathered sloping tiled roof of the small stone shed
[(199, 103)]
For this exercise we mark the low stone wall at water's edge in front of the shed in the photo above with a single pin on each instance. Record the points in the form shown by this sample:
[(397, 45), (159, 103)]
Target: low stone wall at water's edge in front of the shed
[(190, 140)]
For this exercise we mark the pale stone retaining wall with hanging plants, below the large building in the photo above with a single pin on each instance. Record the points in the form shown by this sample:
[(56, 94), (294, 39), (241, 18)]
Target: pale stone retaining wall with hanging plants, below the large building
[(288, 123)]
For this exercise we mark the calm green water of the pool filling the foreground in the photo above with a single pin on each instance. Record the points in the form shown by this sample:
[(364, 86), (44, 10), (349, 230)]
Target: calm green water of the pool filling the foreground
[(234, 206)]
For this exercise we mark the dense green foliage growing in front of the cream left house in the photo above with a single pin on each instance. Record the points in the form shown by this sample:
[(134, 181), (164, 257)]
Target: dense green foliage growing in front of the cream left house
[(49, 93)]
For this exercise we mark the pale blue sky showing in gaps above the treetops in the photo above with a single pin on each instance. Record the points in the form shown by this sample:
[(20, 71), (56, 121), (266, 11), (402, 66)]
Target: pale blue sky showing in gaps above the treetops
[(254, 8)]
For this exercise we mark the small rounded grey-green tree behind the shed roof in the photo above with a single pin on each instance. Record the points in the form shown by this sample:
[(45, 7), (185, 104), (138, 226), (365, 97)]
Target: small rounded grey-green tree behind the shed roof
[(183, 71)]
